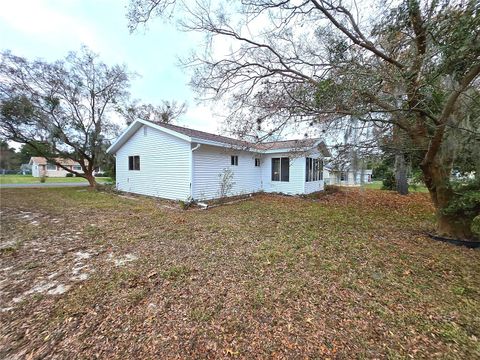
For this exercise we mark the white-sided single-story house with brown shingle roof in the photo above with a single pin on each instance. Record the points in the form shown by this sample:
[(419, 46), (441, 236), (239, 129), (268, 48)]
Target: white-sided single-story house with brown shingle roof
[(174, 162)]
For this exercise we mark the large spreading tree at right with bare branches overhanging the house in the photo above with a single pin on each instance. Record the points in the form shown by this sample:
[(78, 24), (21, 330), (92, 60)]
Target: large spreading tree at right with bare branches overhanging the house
[(407, 68)]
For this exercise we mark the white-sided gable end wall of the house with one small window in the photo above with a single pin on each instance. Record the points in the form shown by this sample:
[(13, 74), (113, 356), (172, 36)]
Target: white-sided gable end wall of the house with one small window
[(165, 162)]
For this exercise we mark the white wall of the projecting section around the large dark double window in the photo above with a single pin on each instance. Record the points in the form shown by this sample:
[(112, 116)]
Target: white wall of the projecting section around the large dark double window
[(296, 183)]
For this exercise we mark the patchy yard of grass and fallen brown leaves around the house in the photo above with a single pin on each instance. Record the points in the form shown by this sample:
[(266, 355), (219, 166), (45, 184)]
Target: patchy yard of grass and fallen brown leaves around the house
[(343, 275)]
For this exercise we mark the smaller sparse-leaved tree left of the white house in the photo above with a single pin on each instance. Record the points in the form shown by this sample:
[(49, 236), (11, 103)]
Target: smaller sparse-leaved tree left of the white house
[(66, 105)]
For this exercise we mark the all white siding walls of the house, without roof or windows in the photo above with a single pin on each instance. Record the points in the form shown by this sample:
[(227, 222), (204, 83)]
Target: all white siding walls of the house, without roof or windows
[(170, 169)]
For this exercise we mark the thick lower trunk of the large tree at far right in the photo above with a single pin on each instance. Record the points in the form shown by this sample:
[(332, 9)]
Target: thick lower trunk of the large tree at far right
[(437, 180)]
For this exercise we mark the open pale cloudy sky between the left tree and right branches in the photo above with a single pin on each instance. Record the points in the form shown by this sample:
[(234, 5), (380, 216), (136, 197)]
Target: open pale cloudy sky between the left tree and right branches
[(49, 29)]
